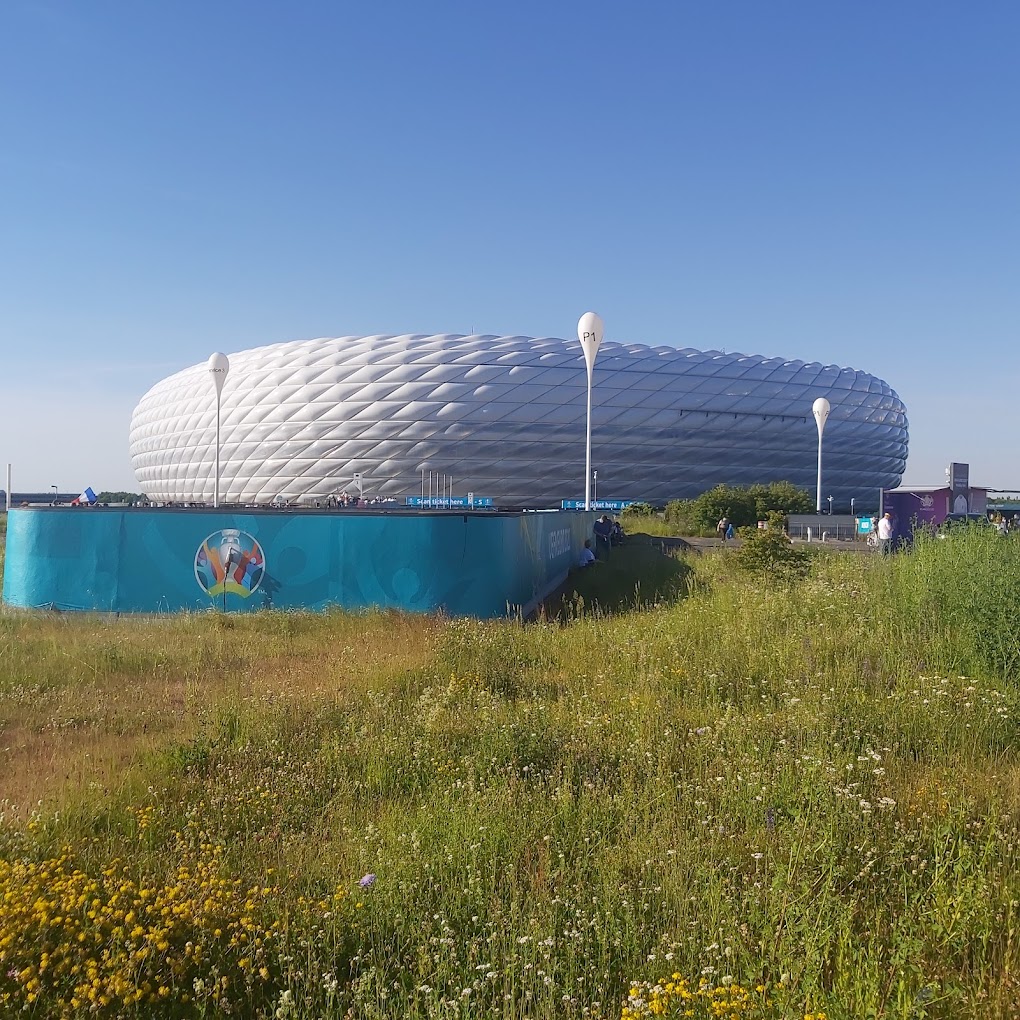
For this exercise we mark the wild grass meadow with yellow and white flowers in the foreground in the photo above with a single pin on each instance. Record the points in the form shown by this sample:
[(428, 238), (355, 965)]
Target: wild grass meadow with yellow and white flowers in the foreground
[(702, 795)]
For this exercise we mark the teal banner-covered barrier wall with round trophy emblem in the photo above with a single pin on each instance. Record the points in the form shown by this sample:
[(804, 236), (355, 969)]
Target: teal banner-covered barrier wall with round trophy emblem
[(151, 562)]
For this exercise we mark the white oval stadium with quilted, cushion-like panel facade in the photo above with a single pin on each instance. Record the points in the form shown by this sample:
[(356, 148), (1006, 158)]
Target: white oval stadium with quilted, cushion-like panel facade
[(504, 418)]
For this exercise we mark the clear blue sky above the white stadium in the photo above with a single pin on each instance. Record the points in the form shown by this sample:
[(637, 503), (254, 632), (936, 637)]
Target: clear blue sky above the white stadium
[(832, 182)]
